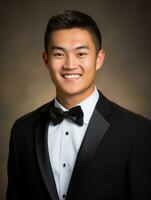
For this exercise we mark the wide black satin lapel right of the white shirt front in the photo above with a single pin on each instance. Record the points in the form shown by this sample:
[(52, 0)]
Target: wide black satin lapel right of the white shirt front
[(97, 128)]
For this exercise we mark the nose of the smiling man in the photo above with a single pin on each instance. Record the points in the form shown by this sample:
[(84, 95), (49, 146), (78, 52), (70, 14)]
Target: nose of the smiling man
[(71, 62)]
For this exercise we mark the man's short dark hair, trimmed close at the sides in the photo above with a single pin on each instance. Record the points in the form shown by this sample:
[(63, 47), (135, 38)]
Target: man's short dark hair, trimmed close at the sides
[(72, 19)]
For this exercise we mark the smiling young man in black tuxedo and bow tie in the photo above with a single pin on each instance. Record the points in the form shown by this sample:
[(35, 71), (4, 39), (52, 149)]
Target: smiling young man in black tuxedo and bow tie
[(80, 146)]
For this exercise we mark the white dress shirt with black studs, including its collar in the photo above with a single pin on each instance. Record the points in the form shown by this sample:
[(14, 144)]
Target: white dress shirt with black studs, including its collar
[(64, 141)]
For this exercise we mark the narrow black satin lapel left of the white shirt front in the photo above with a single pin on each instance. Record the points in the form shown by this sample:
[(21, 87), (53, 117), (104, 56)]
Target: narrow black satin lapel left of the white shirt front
[(43, 156)]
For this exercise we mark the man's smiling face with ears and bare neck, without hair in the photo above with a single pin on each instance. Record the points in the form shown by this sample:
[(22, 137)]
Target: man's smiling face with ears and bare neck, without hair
[(72, 62)]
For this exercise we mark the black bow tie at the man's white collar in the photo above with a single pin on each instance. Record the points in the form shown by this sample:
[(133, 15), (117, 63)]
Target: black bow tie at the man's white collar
[(75, 114)]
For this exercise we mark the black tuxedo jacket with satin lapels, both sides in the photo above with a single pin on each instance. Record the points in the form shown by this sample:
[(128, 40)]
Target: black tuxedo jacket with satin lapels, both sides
[(114, 160)]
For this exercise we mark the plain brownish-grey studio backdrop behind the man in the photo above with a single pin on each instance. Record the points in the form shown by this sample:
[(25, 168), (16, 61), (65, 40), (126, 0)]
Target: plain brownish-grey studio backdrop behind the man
[(24, 81)]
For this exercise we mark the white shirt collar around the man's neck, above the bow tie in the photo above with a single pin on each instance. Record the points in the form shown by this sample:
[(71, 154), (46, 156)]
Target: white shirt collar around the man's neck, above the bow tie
[(87, 105)]
